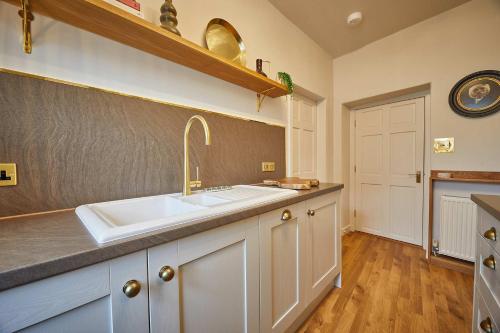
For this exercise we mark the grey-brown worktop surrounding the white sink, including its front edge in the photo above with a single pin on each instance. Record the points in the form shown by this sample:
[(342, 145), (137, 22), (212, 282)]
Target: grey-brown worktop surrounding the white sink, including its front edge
[(37, 246)]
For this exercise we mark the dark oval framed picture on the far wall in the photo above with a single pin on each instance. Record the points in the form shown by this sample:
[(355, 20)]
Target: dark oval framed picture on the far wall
[(477, 94)]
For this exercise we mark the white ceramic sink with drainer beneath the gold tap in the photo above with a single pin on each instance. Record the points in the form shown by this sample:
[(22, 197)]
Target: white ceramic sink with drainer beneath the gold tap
[(108, 221)]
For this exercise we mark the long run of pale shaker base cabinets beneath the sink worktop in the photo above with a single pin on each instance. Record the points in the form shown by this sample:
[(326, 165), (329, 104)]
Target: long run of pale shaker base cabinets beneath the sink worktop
[(262, 274)]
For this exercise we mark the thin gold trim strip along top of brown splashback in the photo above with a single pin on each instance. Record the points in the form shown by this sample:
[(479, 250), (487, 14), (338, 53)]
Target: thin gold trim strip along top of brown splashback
[(80, 85)]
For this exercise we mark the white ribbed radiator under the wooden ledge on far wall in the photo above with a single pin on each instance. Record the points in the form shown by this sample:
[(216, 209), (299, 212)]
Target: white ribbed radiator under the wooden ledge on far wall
[(457, 228)]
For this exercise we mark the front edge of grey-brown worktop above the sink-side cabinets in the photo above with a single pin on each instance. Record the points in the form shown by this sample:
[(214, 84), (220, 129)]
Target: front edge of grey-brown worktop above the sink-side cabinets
[(27, 274)]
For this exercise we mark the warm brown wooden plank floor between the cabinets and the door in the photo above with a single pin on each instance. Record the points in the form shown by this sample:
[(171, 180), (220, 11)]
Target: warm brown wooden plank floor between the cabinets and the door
[(388, 286)]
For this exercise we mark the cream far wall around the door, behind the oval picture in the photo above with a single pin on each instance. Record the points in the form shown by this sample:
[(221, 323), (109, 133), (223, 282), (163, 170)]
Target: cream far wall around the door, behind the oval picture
[(438, 51)]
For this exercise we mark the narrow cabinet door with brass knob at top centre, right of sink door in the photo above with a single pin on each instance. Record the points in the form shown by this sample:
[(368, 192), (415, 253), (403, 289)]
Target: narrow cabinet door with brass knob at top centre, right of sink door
[(282, 245)]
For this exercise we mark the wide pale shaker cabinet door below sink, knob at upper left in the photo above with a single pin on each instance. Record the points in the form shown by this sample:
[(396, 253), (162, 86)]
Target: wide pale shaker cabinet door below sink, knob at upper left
[(215, 287)]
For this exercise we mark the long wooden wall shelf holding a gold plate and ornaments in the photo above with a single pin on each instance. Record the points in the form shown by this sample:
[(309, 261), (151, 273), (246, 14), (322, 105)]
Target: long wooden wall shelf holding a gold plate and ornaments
[(106, 20)]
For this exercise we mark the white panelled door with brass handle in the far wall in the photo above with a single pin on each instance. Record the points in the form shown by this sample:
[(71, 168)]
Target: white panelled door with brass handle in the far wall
[(389, 163)]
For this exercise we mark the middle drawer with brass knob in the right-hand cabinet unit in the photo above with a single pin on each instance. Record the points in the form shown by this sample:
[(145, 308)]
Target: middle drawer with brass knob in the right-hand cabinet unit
[(490, 275)]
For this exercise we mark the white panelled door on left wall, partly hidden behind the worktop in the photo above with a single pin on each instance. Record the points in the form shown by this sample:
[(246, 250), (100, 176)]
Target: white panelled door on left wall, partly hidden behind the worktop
[(302, 138)]
